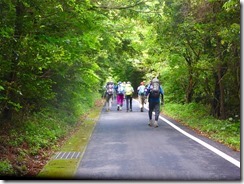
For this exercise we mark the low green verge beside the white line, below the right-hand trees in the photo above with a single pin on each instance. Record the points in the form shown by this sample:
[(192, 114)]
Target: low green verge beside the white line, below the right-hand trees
[(196, 117)]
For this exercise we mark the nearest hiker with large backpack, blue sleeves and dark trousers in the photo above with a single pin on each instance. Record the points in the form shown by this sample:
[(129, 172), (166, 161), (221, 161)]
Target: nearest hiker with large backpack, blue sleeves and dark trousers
[(154, 90)]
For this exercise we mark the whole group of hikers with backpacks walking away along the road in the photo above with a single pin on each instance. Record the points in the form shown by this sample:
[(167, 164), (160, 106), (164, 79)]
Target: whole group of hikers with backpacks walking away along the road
[(152, 93)]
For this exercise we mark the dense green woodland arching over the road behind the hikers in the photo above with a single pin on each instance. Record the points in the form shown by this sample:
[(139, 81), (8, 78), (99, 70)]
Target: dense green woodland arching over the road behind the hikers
[(58, 54)]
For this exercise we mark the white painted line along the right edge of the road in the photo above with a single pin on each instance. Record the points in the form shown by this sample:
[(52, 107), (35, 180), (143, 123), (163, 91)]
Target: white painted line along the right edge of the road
[(206, 145)]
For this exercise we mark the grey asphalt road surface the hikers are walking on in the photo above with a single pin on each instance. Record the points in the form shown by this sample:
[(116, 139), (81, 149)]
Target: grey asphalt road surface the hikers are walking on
[(124, 147)]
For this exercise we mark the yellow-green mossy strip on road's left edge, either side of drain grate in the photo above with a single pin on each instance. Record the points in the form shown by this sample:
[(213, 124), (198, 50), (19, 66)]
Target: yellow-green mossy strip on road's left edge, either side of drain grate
[(65, 169)]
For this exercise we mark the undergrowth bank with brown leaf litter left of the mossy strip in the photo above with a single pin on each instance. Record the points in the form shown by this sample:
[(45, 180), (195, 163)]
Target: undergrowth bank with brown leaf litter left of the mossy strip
[(26, 147)]
